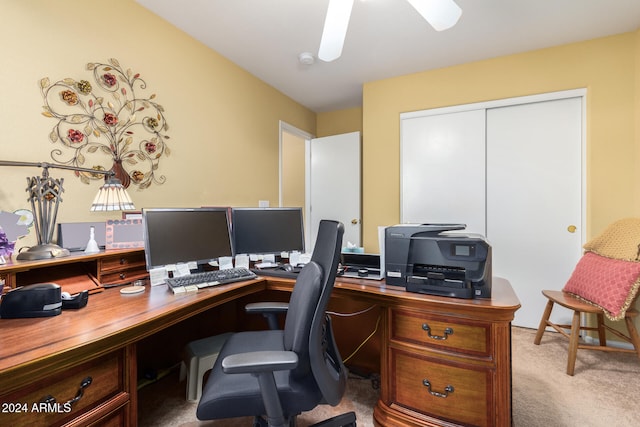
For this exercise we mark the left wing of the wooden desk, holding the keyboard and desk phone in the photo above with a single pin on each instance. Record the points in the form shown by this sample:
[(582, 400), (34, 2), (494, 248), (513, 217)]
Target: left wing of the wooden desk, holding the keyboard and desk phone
[(52, 356)]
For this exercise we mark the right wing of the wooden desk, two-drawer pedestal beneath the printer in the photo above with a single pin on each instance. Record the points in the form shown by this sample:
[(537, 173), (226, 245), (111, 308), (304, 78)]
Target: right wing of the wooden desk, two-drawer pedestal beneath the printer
[(444, 361)]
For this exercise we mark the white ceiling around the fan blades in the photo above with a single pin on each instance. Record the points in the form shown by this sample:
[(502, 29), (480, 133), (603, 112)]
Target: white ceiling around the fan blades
[(386, 38)]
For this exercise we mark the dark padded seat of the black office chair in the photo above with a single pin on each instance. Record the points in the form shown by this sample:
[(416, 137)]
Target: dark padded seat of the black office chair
[(236, 395)]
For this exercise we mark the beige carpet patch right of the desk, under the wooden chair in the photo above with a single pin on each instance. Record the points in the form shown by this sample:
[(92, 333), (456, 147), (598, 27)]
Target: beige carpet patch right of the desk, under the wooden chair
[(604, 391)]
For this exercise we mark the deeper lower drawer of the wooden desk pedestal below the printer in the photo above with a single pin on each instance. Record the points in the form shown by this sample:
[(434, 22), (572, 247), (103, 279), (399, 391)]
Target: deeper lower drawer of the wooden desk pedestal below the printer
[(456, 393)]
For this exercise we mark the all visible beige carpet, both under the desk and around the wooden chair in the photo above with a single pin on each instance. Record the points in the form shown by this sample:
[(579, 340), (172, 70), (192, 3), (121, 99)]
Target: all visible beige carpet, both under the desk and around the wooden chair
[(605, 391)]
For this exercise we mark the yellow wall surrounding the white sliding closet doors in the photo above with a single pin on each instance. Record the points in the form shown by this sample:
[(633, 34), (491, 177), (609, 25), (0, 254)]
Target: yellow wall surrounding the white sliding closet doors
[(606, 67)]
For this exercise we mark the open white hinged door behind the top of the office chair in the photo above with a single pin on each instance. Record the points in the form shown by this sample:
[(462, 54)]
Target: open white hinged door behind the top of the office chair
[(335, 184)]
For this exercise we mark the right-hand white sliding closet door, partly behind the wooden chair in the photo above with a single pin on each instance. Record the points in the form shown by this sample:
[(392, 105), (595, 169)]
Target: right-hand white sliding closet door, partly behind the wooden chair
[(534, 197)]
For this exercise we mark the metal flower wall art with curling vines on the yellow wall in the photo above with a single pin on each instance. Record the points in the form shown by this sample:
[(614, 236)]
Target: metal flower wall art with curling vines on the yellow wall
[(105, 124)]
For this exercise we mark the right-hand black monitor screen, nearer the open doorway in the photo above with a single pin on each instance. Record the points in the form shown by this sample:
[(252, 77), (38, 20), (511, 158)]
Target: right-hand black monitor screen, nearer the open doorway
[(267, 230)]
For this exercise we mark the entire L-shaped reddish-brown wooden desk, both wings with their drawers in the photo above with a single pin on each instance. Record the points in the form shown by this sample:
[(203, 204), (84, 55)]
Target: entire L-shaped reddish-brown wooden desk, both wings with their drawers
[(443, 361)]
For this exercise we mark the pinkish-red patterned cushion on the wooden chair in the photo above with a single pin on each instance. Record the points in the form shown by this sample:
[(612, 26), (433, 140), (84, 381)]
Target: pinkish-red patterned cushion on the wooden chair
[(610, 284)]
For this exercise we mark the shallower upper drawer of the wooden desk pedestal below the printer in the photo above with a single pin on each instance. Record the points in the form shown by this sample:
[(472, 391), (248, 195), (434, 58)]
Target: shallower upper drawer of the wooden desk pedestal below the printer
[(441, 332)]
